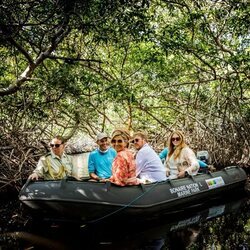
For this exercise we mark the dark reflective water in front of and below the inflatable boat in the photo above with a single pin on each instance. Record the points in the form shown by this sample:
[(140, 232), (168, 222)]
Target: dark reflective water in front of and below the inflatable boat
[(220, 224)]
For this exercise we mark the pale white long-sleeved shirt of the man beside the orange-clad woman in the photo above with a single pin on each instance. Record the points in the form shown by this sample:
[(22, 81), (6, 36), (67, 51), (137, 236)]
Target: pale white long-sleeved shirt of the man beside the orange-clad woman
[(149, 166)]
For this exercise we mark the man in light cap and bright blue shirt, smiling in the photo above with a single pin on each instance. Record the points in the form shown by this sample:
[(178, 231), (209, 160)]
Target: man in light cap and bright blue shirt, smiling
[(100, 160)]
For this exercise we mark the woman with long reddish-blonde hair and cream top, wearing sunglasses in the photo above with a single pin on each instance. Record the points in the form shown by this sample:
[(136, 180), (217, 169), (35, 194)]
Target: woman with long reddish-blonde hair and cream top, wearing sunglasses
[(181, 160)]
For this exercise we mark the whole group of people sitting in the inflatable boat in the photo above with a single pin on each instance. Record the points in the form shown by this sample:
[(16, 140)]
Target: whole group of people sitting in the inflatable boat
[(123, 159)]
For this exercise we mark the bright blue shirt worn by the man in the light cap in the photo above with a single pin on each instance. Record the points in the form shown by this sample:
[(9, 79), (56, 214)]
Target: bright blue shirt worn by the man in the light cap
[(100, 162)]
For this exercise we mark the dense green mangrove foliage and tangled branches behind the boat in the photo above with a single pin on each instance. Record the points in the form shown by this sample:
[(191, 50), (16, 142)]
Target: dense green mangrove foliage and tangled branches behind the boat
[(78, 67)]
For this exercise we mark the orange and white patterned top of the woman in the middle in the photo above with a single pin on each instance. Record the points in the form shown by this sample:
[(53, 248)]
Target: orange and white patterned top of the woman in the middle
[(124, 169)]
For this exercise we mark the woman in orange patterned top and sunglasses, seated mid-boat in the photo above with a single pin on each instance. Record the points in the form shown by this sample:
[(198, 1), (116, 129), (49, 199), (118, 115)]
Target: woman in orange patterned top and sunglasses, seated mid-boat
[(123, 167)]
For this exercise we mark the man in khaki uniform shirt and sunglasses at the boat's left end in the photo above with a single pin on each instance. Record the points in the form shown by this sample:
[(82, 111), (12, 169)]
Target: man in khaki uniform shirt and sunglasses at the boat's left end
[(54, 165)]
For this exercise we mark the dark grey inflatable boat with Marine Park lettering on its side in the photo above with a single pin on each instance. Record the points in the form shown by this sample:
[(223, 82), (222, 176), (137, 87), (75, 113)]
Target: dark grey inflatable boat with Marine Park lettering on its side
[(88, 201)]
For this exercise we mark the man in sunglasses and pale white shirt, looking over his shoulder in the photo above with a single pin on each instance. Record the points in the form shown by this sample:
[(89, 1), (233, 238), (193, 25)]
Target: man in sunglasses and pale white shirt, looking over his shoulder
[(148, 164)]
